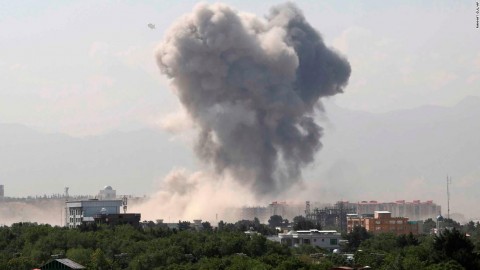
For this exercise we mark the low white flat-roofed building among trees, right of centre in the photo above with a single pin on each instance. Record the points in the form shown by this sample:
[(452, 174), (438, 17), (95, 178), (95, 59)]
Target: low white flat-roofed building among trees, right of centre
[(325, 239)]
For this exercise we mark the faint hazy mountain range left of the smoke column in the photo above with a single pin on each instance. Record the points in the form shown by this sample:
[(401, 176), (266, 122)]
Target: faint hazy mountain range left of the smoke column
[(35, 163)]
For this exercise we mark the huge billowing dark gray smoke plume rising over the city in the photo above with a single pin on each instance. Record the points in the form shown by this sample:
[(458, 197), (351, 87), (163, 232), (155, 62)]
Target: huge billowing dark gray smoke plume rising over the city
[(252, 86)]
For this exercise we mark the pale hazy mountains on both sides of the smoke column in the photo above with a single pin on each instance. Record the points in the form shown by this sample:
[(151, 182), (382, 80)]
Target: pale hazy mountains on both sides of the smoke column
[(390, 156)]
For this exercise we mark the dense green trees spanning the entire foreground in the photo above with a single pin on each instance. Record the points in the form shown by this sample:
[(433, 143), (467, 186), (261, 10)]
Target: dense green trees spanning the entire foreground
[(28, 245)]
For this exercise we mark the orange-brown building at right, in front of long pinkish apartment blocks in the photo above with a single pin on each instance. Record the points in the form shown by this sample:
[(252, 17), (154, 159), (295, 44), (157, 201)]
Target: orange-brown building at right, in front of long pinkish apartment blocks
[(383, 222)]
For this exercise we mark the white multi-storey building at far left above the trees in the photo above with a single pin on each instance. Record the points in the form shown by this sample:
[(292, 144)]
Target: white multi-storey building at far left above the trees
[(83, 211)]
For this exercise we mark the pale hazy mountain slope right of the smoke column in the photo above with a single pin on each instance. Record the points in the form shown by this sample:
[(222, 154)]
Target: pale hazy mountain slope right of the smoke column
[(403, 154)]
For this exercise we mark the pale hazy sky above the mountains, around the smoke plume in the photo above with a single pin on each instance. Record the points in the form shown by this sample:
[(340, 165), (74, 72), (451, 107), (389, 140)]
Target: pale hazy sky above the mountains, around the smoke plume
[(87, 67)]
